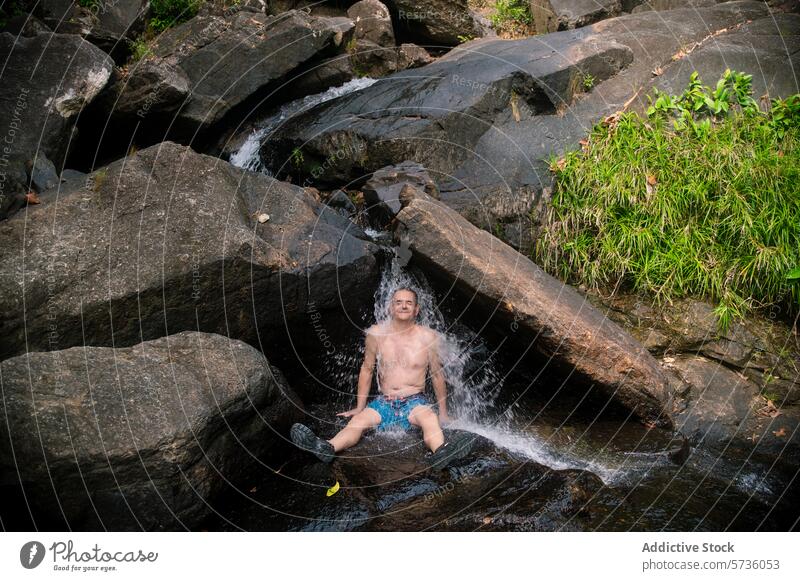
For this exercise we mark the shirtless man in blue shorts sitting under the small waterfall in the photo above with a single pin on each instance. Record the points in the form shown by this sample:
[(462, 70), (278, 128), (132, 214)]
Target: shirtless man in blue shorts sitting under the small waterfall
[(404, 353)]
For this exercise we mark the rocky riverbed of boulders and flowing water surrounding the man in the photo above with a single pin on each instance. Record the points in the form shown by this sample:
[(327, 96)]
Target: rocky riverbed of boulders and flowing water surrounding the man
[(195, 236)]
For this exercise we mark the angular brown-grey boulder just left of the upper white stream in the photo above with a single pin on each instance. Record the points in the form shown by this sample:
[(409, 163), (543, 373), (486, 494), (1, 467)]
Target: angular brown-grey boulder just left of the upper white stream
[(231, 60)]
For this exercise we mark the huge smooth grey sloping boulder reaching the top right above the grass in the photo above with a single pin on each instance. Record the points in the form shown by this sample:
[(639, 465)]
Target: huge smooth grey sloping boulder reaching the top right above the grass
[(487, 118)]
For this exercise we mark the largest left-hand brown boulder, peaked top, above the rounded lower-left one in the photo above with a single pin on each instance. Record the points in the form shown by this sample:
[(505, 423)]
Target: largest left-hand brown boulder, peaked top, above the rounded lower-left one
[(168, 240)]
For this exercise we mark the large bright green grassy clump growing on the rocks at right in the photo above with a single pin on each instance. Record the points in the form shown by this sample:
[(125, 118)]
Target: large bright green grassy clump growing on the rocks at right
[(707, 207)]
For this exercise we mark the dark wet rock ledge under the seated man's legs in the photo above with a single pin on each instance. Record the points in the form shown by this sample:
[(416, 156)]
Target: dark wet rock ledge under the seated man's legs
[(386, 485)]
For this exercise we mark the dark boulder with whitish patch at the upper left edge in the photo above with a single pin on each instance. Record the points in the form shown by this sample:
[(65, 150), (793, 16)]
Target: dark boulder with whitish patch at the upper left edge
[(45, 83)]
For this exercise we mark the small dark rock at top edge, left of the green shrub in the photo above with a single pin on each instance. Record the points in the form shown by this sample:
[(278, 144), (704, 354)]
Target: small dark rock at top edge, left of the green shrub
[(436, 22)]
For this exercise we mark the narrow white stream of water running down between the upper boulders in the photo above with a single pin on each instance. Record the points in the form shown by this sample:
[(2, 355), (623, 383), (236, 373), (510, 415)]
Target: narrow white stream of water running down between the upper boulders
[(247, 156)]
